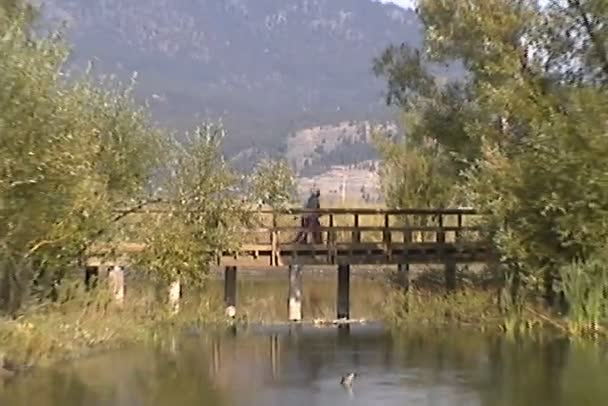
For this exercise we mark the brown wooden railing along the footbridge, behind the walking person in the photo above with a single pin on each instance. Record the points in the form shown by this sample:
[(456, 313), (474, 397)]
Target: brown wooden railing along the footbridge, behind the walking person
[(274, 231)]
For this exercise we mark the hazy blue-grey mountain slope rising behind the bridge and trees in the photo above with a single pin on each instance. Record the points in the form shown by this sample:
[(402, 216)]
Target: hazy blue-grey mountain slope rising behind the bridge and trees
[(266, 68)]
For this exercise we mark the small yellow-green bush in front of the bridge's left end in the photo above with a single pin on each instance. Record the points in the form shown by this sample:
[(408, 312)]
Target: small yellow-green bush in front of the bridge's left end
[(206, 215)]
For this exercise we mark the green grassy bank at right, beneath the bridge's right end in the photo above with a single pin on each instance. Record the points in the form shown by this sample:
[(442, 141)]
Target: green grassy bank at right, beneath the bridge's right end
[(480, 302)]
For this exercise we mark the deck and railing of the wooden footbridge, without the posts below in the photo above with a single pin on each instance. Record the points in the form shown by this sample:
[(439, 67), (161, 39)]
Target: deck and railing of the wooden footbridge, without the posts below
[(364, 237)]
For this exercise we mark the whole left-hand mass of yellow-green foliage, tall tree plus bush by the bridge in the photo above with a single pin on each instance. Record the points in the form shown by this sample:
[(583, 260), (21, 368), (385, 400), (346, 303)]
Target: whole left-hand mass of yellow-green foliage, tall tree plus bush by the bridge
[(73, 151)]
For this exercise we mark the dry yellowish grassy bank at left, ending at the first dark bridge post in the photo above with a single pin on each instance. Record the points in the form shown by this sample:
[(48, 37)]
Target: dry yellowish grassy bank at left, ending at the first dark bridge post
[(82, 322)]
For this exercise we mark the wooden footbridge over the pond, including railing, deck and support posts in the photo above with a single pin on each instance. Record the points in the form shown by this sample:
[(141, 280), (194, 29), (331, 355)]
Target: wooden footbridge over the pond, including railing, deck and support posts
[(350, 237)]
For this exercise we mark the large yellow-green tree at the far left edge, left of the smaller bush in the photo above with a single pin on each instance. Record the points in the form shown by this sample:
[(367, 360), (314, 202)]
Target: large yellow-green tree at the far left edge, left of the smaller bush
[(67, 154)]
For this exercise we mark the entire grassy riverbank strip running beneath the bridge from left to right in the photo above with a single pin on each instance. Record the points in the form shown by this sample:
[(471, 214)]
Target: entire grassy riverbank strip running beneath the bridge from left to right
[(86, 322)]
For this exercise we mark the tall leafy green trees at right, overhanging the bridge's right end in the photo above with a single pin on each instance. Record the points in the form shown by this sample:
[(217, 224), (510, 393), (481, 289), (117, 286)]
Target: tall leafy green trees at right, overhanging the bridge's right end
[(525, 127)]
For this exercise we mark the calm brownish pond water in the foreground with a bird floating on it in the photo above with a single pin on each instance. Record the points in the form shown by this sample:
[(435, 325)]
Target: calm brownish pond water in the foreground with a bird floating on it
[(302, 366)]
